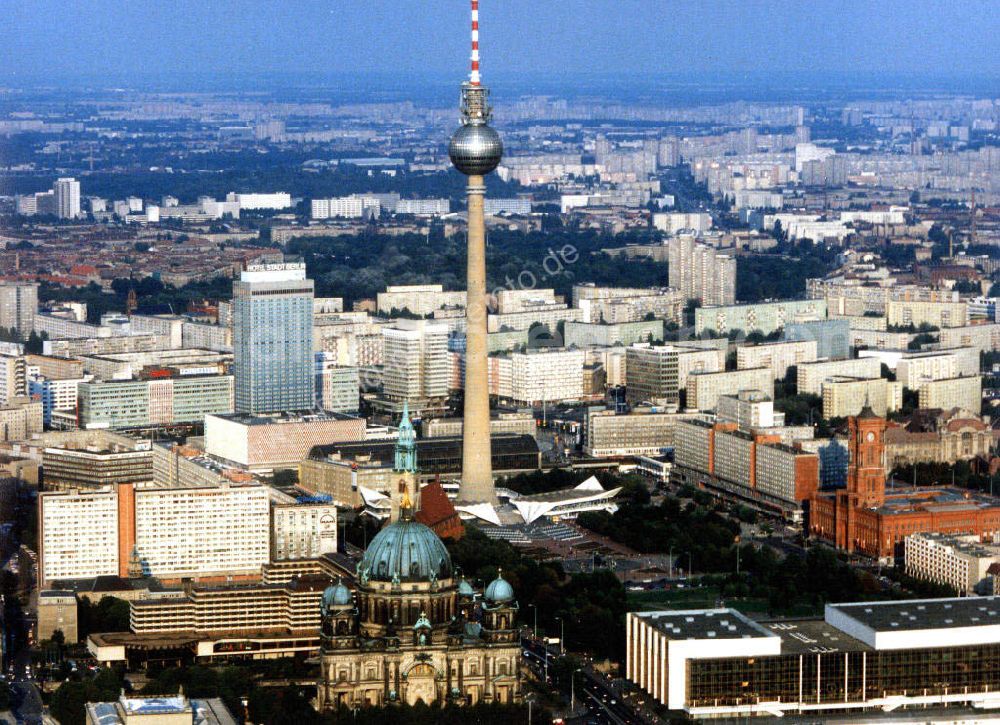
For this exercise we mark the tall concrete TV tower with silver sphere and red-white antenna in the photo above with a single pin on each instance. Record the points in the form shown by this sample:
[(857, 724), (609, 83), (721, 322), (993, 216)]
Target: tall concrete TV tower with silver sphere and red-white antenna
[(475, 150)]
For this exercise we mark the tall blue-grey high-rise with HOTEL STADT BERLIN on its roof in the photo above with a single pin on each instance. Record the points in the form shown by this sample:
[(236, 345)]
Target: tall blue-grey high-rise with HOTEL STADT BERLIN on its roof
[(273, 339)]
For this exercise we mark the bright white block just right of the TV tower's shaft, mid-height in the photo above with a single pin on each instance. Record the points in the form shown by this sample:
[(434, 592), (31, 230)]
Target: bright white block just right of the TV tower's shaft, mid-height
[(546, 376)]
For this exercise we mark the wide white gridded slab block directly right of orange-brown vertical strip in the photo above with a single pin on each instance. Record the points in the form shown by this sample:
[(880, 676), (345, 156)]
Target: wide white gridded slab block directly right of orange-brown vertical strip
[(203, 532)]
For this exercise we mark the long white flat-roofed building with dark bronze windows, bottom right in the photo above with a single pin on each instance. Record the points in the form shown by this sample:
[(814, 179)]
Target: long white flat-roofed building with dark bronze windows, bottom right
[(860, 657)]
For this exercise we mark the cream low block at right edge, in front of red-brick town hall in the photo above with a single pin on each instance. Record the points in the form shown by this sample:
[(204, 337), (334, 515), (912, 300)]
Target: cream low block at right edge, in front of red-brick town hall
[(960, 562)]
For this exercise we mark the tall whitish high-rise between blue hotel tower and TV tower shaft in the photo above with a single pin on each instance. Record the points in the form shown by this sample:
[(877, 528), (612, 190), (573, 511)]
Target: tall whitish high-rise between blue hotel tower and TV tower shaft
[(416, 362)]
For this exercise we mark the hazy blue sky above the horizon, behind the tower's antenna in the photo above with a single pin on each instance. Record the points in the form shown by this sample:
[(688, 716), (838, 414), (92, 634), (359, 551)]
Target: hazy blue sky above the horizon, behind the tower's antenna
[(135, 39)]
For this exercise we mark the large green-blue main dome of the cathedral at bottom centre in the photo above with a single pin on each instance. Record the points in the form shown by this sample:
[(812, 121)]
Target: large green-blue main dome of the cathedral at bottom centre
[(408, 551)]
